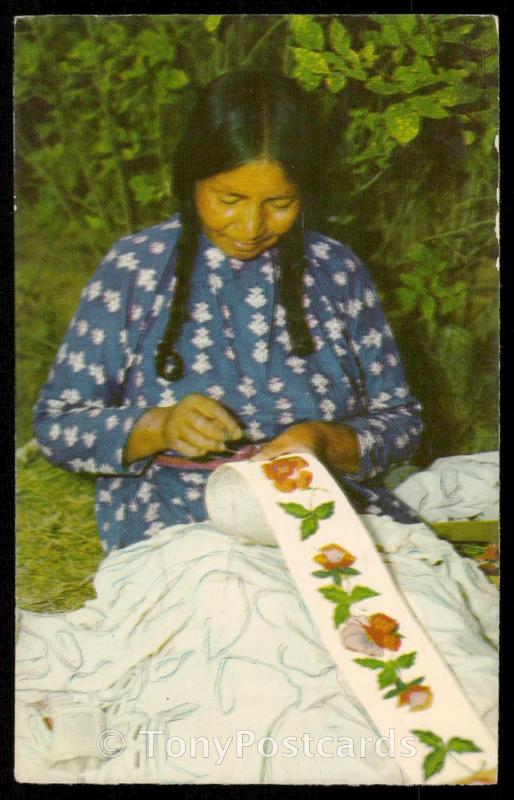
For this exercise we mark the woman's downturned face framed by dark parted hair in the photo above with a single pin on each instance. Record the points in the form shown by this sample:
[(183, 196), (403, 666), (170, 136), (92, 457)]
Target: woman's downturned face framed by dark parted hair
[(246, 210)]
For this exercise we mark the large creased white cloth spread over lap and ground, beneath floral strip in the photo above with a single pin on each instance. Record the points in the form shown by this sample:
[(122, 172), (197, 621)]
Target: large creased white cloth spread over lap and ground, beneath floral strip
[(193, 634)]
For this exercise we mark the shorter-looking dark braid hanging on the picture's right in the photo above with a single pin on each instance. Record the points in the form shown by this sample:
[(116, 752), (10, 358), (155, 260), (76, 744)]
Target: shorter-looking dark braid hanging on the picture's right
[(292, 264)]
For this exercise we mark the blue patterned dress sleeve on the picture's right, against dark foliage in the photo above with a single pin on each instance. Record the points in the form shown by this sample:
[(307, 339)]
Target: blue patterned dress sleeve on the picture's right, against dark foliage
[(389, 432)]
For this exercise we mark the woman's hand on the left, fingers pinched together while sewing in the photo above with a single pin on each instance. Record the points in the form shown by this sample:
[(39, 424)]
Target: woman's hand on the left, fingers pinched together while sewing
[(195, 426)]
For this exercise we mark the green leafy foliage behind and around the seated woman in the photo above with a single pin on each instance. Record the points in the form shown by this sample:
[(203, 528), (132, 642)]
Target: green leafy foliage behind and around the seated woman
[(412, 101)]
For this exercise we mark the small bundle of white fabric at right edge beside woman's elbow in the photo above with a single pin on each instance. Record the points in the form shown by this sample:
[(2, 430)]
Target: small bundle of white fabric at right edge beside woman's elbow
[(457, 487)]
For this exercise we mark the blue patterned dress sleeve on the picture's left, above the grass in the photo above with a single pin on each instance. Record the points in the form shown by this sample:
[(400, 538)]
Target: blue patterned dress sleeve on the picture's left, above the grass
[(80, 420)]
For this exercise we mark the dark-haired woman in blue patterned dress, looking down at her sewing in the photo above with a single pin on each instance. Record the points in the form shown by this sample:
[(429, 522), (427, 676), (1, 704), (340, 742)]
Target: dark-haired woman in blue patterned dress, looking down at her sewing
[(229, 323)]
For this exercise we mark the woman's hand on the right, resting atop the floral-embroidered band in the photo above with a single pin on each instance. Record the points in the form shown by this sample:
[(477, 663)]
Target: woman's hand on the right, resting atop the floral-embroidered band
[(333, 443)]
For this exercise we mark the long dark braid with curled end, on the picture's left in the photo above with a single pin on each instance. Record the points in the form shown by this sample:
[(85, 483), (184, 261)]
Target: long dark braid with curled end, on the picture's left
[(169, 363)]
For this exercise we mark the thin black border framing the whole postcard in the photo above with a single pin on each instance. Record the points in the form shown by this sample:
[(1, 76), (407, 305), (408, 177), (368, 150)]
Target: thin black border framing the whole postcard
[(9, 11)]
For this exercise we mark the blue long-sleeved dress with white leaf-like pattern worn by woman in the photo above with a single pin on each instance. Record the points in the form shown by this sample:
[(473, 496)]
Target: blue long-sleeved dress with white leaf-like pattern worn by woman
[(236, 350)]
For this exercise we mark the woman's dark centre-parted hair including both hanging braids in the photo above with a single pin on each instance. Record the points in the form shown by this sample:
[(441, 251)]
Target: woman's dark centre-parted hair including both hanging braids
[(239, 118)]
